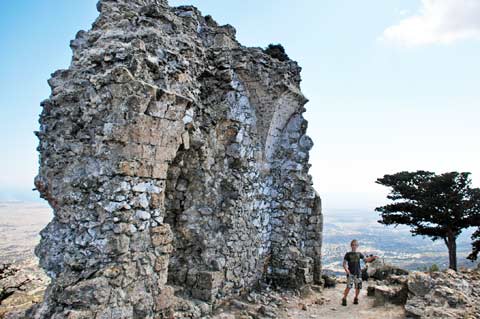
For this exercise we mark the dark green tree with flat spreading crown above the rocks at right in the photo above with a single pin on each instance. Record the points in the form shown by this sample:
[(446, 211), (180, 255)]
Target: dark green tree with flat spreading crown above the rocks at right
[(437, 206)]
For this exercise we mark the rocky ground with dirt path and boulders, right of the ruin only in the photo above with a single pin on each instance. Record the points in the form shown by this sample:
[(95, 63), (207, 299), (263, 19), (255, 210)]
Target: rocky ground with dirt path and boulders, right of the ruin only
[(390, 293)]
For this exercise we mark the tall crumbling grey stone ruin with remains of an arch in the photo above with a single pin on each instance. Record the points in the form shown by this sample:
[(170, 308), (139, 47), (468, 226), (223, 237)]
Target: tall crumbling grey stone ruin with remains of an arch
[(176, 163)]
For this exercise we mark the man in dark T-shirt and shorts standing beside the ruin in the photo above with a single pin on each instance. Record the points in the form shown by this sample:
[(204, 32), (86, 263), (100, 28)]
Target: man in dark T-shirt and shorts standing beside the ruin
[(351, 264)]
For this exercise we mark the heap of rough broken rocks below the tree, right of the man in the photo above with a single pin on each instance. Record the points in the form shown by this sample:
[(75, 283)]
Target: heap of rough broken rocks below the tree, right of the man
[(440, 294)]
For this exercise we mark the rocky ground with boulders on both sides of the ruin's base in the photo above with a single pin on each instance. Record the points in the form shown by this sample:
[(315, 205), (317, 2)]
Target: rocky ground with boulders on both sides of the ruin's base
[(437, 295)]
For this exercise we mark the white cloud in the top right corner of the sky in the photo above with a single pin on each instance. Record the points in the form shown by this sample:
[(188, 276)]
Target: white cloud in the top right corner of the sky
[(438, 22)]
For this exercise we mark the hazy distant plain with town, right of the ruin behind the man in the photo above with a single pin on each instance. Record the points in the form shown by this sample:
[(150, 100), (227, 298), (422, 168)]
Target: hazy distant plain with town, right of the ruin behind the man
[(395, 245)]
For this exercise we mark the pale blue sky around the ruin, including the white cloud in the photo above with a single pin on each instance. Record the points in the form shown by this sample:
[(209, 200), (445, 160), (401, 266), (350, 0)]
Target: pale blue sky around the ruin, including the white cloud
[(393, 84)]
